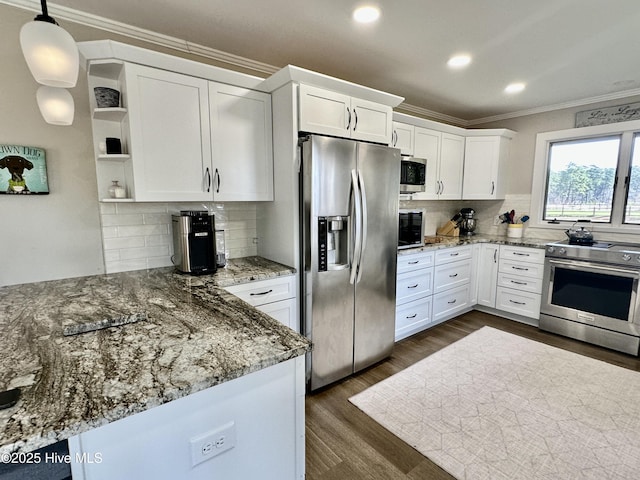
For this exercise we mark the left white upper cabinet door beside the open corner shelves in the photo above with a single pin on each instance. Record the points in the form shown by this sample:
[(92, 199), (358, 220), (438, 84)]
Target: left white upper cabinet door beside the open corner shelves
[(170, 135)]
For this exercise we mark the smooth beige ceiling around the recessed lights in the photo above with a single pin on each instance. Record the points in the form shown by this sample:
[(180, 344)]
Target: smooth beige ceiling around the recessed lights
[(566, 51)]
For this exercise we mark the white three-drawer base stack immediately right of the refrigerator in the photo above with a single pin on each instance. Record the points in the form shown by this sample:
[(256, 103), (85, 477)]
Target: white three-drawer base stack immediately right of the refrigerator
[(414, 289)]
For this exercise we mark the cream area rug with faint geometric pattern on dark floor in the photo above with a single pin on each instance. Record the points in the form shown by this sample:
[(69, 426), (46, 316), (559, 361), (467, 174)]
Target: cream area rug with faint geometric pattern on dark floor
[(496, 406)]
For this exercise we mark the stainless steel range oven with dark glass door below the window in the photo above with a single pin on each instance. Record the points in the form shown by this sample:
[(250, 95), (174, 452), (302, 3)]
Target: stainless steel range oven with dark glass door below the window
[(591, 293)]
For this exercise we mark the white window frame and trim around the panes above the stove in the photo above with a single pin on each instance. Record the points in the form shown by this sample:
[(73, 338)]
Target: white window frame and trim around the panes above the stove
[(626, 130)]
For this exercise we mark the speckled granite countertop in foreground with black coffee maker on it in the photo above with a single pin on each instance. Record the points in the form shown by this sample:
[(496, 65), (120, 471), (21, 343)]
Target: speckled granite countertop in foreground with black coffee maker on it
[(187, 334)]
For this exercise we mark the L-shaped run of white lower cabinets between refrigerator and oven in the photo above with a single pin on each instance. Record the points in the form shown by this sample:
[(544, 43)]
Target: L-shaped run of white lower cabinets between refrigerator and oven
[(436, 285)]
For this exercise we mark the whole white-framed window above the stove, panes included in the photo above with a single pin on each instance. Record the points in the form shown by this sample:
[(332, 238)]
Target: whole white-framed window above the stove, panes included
[(590, 173)]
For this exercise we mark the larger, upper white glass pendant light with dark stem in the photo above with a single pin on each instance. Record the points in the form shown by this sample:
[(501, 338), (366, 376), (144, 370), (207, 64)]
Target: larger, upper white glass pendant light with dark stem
[(50, 51)]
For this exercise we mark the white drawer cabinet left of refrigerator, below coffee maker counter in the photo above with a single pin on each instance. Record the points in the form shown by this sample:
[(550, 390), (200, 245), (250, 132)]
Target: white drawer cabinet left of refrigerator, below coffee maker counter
[(276, 297)]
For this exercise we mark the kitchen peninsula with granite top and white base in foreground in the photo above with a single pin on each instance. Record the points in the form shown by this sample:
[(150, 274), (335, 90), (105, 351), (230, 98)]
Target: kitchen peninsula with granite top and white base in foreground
[(197, 353)]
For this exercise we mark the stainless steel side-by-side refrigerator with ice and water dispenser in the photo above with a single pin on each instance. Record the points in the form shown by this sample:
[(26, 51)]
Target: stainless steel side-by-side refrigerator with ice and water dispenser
[(349, 195)]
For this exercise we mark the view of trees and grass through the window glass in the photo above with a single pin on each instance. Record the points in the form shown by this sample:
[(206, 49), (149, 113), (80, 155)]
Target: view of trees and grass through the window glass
[(581, 179)]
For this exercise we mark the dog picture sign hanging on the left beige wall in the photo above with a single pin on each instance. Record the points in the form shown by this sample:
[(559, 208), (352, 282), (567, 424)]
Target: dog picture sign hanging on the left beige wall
[(23, 170)]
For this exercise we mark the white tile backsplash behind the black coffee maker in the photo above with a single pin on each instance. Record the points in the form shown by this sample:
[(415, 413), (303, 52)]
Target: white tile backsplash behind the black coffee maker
[(138, 235)]
